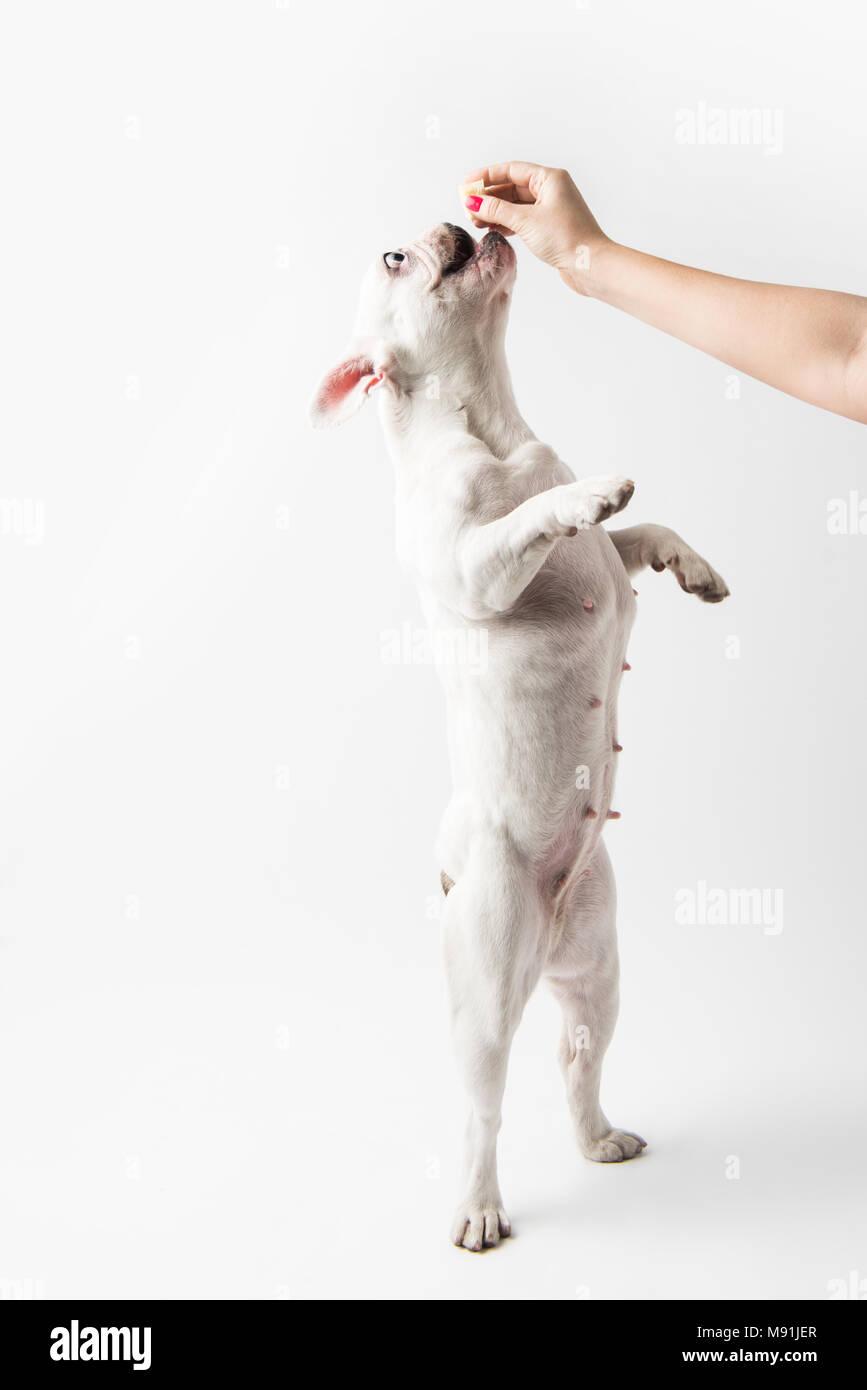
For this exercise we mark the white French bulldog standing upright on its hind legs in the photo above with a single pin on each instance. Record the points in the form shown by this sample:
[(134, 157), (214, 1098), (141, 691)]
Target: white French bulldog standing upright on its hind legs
[(499, 536)]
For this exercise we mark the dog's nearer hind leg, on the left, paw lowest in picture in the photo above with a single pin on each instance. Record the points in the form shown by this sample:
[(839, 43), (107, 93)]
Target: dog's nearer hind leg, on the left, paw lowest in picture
[(494, 953)]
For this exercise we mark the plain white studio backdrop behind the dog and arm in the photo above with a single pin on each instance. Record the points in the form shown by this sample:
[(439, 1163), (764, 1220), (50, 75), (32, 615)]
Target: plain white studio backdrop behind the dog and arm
[(224, 1057)]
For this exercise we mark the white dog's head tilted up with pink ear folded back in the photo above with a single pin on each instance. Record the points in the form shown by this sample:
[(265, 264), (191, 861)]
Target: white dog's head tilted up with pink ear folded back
[(431, 319)]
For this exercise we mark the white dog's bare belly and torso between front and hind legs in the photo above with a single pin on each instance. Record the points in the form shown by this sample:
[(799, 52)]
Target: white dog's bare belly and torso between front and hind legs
[(533, 728)]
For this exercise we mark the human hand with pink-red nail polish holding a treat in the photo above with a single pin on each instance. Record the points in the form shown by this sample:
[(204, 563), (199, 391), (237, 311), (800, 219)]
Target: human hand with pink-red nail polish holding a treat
[(545, 209)]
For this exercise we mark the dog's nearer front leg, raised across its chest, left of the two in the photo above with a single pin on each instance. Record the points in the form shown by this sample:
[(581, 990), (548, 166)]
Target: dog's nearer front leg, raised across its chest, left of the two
[(499, 559)]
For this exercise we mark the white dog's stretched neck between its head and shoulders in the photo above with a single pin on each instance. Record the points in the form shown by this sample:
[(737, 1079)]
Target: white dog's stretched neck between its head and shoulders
[(422, 419)]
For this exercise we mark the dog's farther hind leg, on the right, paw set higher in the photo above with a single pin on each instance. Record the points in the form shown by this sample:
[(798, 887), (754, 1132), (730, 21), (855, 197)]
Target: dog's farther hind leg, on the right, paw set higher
[(584, 978)]
